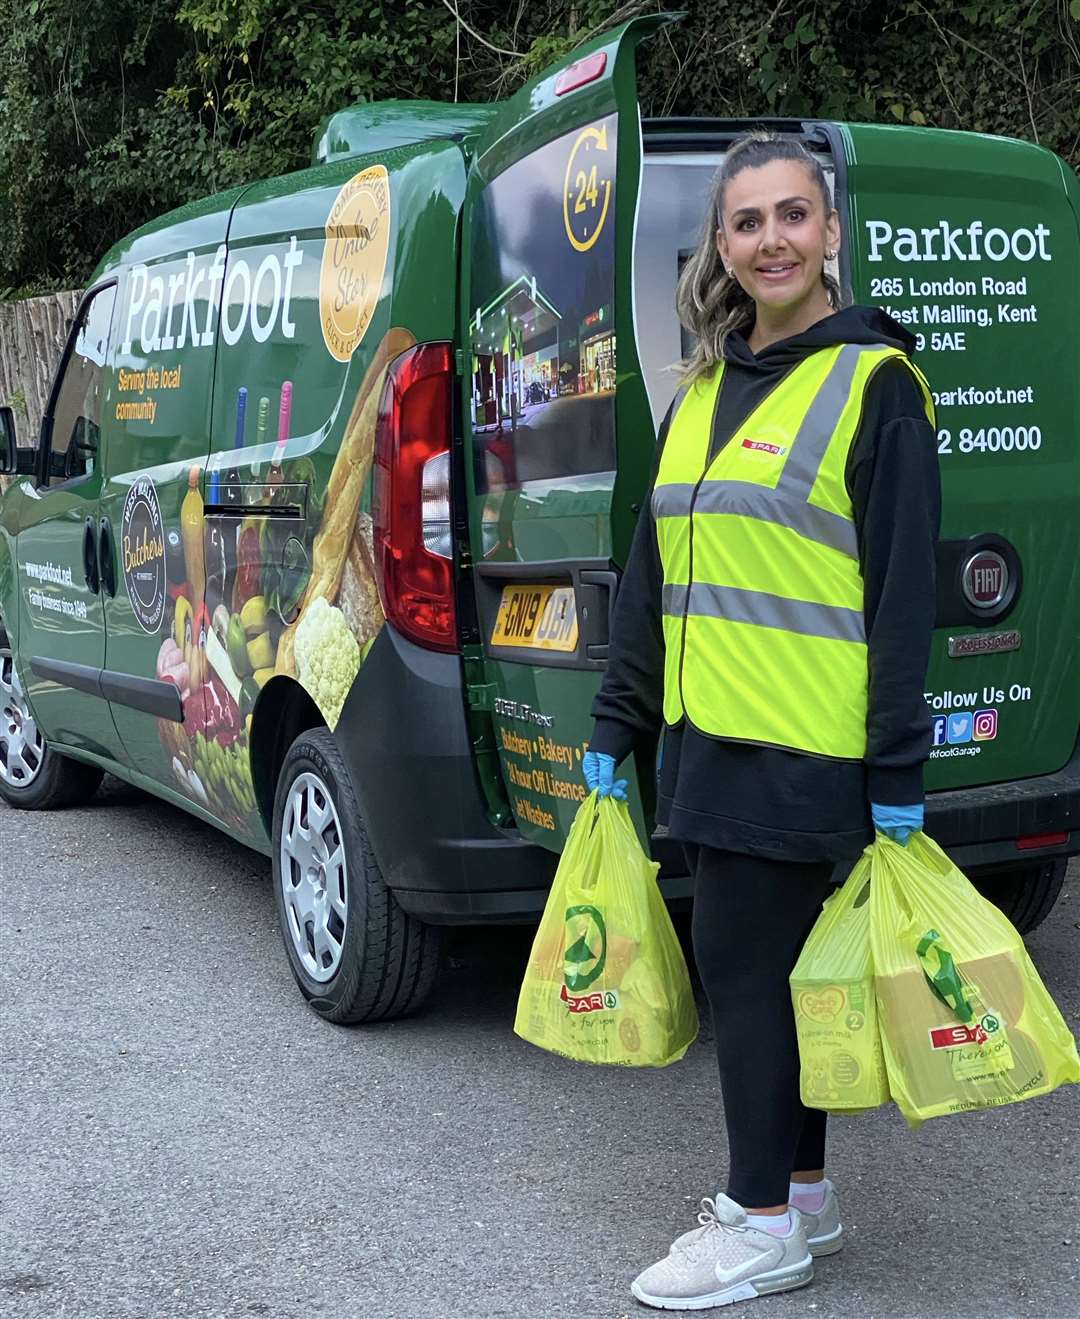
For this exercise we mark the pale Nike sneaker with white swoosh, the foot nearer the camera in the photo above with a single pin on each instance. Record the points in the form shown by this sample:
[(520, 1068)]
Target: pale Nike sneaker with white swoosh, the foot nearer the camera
[(726, 1260)]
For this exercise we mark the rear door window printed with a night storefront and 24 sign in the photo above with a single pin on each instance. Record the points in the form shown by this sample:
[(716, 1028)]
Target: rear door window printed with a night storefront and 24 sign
[(543, 317)]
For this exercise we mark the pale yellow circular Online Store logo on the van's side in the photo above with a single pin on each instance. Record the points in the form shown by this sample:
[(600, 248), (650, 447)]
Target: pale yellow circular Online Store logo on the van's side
[(358, 241)]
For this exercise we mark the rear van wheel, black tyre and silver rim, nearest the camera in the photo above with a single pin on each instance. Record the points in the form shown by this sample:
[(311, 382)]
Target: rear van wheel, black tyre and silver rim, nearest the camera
[(355, 954)]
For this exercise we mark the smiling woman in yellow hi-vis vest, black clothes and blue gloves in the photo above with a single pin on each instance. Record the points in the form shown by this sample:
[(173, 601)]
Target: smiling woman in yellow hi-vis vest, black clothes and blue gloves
[(773, 625)]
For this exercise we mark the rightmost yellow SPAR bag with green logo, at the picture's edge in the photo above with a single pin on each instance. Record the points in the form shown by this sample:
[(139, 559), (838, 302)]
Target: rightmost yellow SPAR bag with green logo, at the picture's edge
[(966, 1020)]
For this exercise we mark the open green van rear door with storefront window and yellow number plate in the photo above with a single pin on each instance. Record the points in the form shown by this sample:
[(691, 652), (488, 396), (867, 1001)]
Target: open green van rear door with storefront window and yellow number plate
[(557, 421)]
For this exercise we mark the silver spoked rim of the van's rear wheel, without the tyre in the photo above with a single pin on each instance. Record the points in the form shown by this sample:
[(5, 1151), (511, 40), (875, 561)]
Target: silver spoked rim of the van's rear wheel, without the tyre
[(315, 879)]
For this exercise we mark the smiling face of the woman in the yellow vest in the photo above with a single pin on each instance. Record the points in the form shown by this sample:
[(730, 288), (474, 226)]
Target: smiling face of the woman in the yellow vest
[(775, 233)]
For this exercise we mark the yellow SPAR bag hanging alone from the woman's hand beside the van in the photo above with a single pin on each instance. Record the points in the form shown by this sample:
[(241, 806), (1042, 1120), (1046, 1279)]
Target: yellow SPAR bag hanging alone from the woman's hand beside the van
[(607, 981)]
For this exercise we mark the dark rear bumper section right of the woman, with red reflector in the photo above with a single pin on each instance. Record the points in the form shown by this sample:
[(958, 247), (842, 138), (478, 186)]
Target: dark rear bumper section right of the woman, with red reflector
[(983, 826)]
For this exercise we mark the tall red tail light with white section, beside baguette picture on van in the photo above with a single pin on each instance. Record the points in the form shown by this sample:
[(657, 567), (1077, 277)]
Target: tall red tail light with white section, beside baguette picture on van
[(411, 511)]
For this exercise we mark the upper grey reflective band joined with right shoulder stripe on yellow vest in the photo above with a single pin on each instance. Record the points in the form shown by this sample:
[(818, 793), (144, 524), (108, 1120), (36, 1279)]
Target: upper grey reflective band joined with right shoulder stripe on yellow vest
[(787, 506)]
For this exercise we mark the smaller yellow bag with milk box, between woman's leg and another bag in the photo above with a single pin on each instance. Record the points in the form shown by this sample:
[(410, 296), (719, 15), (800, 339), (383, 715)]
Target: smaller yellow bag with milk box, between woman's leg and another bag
[(833, 993)]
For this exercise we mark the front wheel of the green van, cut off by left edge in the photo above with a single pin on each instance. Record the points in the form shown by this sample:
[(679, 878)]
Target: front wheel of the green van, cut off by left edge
[(34, 778)]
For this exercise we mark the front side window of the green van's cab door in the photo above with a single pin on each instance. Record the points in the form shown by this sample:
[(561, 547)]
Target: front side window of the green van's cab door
[(76, 421)]
